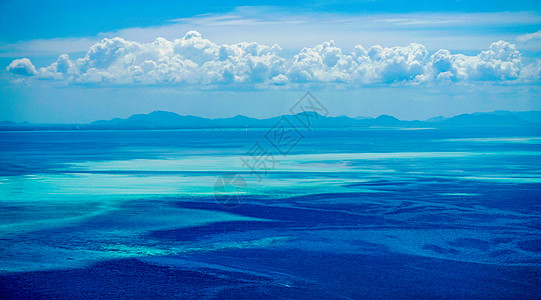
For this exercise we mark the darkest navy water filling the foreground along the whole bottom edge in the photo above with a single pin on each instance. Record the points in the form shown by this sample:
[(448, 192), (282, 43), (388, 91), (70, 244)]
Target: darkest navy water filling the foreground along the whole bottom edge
[(284, 274)]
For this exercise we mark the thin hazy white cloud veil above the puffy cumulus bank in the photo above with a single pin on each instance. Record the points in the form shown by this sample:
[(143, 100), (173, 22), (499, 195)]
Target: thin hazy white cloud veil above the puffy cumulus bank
[(293, 31)]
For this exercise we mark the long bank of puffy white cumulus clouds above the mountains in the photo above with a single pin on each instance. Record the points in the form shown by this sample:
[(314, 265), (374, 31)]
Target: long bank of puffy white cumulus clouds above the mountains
[(194, 60)]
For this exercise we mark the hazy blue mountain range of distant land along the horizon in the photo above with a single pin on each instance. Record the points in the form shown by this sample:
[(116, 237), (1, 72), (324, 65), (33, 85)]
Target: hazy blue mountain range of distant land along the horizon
[(170, 120)]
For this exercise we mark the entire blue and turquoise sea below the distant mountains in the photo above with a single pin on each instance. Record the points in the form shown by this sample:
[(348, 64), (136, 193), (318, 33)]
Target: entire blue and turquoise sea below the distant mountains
[(344, 213)]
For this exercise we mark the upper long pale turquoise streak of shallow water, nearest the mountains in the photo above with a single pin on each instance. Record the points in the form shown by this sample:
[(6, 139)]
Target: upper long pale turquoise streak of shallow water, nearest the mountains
[(321, 162)]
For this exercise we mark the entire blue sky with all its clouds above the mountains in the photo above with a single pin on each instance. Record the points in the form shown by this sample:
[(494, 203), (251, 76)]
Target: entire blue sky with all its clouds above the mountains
[(76, 62)]
